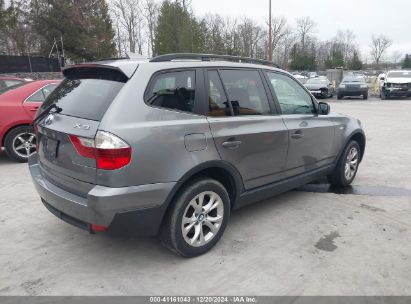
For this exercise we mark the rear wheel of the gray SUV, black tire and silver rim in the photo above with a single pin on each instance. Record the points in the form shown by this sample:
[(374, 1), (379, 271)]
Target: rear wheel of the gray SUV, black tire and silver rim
[(189, 244)]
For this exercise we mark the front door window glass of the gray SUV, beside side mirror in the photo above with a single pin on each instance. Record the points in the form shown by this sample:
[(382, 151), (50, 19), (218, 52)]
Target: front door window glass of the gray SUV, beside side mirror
[(292, 97)]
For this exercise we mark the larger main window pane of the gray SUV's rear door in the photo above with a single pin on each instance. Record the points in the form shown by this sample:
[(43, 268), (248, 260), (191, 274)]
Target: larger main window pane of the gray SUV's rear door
[(246, 92)]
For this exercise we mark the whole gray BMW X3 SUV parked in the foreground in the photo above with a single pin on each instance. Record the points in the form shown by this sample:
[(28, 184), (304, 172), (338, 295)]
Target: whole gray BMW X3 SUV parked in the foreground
[(170, 146)]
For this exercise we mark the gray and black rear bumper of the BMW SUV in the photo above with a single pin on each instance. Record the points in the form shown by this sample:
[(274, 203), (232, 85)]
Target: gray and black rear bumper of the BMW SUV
[(129, 210)]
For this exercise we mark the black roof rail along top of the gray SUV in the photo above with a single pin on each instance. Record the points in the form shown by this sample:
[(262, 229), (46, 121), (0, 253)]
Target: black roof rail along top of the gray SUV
[(211, 57)]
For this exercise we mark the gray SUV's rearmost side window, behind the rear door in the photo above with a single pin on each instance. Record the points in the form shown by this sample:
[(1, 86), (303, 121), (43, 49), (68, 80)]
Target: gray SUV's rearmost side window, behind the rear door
[(173, 90)]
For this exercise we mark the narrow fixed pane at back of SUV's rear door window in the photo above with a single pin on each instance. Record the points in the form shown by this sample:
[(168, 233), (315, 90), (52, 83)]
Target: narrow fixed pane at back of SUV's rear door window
[(217, 101)]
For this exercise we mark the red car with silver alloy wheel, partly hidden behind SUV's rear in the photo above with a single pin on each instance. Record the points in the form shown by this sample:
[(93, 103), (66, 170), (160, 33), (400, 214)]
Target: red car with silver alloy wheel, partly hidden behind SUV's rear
[(18, 107)]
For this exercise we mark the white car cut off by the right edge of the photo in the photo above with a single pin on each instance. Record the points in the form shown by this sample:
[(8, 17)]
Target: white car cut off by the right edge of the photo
[(396, 84)]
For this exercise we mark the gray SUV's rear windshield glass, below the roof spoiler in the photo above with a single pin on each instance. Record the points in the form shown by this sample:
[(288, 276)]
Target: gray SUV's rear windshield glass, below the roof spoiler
[(84, 98)]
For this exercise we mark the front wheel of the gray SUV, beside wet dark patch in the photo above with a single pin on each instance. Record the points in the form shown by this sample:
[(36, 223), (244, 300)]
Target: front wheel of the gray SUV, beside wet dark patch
[(340, 177)]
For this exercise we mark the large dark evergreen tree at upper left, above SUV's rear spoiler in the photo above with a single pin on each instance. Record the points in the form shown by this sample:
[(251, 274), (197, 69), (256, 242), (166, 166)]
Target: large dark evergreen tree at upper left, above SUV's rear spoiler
[(84, 26)]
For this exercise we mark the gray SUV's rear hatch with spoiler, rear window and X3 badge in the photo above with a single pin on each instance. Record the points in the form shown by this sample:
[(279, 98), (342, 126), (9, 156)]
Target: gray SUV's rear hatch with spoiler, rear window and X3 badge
[(83, 98)]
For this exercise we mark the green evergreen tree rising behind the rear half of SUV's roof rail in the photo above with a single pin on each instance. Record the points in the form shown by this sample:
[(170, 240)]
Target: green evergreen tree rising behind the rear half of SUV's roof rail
[(178, 30)]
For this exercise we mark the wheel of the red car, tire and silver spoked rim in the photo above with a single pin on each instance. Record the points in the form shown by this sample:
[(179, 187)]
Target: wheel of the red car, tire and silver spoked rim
[(20, 143)]
